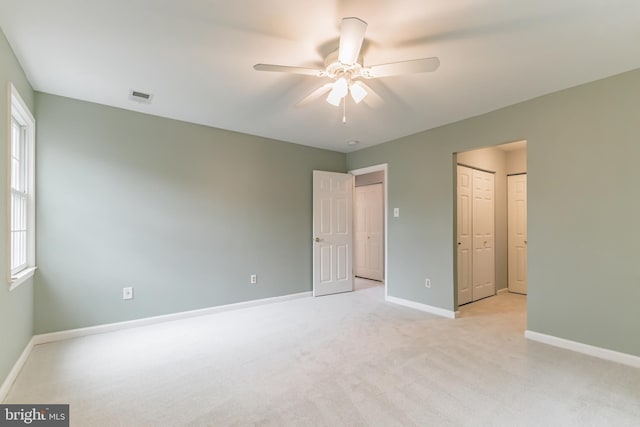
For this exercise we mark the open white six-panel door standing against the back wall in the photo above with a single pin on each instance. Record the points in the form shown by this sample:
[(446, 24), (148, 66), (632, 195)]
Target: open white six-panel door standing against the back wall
[(332, 233)]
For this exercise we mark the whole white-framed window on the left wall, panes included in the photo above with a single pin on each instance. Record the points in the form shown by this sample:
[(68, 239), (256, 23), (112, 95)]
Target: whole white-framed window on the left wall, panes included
[(21, 192)]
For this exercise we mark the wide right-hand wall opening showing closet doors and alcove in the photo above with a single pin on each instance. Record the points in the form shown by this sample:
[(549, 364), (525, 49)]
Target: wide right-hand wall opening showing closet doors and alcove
[(490, 255)]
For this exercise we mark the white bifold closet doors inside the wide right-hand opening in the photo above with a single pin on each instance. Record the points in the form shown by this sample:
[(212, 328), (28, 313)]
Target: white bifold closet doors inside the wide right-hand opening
[(476, 235)]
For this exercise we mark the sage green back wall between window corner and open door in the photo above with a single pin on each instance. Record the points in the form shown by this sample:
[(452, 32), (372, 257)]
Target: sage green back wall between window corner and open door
[(183, 213)]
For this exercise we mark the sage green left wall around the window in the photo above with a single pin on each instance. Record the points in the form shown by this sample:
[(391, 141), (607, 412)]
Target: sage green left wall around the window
[(16, 307)]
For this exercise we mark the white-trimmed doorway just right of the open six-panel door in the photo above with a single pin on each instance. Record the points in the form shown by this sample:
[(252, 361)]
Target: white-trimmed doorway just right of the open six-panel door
[(370, 226)]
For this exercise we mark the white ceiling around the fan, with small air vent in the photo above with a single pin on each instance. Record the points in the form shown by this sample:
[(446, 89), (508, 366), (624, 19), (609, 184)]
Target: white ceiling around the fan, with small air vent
[(196, 57)]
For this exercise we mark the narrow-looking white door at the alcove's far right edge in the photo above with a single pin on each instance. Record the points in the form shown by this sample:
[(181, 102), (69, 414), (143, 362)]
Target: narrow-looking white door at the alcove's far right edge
[(517, 232)]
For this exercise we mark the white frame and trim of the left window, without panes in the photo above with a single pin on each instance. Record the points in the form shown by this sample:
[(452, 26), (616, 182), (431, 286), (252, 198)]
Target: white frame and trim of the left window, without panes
[(19, 112)]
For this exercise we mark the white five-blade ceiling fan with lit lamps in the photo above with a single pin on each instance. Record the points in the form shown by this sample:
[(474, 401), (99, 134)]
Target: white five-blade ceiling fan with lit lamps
[(346, 70)]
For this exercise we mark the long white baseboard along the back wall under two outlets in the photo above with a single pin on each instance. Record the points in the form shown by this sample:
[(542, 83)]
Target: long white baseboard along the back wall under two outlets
[(110, 327)]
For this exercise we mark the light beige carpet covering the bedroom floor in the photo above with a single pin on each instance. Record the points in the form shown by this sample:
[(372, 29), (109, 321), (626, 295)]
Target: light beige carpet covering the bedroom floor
[(342, 360)]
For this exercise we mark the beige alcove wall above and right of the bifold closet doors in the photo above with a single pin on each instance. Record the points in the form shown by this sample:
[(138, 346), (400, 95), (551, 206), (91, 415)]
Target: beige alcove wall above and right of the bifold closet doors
[(494, 160)]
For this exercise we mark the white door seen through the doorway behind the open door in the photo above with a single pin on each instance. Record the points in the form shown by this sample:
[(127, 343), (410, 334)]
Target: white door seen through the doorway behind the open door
[(368, 230)]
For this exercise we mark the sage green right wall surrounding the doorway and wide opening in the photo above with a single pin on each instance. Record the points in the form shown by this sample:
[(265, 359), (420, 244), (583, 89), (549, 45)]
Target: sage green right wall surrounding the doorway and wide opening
[(583, 208)]
